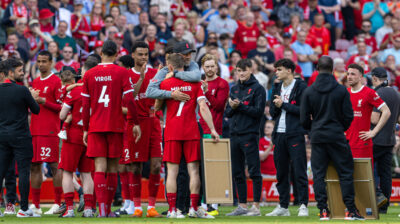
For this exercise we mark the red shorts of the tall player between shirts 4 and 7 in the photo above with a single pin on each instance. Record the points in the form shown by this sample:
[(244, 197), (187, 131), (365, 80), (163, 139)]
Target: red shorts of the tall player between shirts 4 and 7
[(149, 145)]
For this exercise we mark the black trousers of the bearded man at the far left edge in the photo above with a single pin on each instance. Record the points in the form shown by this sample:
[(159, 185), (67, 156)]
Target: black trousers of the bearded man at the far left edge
[(22, 150)]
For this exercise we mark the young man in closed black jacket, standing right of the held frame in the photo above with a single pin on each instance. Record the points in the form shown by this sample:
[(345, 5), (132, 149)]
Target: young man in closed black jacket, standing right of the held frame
[(245, 110)]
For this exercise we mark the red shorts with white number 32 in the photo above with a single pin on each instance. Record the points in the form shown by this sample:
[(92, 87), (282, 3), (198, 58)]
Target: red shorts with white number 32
[(45, 149)]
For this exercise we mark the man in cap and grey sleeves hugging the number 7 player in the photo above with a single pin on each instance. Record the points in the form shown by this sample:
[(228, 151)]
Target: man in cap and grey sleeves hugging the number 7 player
[(191, 74)]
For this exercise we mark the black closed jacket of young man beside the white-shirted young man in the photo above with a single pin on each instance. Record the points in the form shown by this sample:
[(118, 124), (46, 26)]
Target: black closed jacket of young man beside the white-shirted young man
[(246, 118)]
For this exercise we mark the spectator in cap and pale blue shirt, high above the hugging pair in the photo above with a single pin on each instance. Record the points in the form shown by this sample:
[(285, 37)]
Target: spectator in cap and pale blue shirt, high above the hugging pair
[(222, 23)]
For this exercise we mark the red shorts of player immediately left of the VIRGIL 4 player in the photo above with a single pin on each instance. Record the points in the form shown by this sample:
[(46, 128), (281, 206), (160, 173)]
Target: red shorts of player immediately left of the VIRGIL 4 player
[(73, 156)]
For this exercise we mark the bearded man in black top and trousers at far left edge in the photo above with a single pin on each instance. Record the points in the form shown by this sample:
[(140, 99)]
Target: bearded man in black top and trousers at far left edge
[(15, 136)]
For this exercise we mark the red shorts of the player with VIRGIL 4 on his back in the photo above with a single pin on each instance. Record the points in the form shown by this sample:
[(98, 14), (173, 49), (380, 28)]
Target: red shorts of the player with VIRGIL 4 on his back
[(105, 144)]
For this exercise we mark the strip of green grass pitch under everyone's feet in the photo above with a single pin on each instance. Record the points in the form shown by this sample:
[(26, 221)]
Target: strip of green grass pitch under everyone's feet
[(391, 217)]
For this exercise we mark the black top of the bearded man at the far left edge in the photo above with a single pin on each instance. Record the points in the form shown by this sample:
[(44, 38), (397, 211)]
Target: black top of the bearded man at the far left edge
[(15, 102)]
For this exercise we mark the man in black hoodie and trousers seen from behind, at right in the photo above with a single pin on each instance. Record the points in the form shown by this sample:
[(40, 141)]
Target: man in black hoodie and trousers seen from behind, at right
[(326, 110)]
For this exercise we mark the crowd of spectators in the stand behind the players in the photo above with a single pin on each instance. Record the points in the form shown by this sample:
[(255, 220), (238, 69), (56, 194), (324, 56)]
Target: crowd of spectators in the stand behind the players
[(365, 32)]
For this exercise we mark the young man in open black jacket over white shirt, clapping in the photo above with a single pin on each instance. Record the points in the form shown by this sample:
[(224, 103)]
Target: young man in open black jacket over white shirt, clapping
[(288, 138)]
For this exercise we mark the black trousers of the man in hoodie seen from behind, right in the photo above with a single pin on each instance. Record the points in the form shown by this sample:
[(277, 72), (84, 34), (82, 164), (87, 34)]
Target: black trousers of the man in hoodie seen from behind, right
[(340, 154)]
